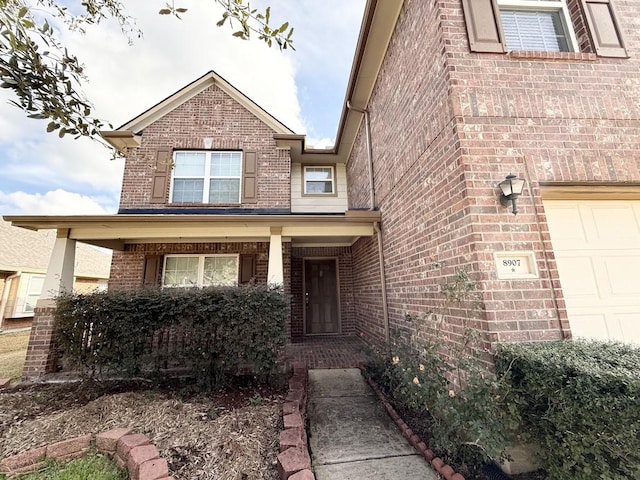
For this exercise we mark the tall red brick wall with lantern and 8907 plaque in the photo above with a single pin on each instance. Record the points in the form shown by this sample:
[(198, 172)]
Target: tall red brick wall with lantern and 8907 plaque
[(448, 125)]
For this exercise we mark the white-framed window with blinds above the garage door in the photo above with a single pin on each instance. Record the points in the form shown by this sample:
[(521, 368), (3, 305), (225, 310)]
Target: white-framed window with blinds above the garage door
[(537, 25)]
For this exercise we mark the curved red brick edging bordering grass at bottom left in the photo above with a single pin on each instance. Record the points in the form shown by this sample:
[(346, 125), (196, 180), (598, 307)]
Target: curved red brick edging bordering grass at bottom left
[(132, 451)]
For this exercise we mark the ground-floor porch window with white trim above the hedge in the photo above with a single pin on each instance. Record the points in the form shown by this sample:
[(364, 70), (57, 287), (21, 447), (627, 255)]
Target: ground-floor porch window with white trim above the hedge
[(200, 270)]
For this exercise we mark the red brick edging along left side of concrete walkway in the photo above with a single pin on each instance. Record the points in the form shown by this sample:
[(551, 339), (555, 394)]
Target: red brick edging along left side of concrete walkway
[(294, 462)]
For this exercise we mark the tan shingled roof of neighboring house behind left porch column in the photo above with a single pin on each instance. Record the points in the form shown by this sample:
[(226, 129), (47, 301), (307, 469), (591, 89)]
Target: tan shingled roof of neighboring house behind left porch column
[(29, 251)]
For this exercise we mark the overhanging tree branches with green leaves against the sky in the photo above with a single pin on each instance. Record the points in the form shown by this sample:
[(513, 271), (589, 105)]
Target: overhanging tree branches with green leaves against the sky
[(46, 78)]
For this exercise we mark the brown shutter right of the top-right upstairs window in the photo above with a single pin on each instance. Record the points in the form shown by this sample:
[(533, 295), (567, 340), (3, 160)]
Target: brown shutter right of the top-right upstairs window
[(604, 28)]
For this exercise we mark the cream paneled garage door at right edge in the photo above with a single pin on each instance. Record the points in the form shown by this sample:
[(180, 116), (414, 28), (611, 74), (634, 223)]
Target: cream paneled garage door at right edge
[(597, 249)]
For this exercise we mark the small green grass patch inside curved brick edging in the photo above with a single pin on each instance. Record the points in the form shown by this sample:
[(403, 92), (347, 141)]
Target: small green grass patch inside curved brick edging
[(90, 467)]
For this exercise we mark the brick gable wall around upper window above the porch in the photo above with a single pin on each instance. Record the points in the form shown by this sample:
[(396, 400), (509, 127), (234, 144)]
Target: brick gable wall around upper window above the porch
[(211, 114)]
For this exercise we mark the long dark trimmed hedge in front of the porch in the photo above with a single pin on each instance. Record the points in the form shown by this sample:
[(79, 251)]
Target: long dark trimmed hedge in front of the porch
[(216, 332)]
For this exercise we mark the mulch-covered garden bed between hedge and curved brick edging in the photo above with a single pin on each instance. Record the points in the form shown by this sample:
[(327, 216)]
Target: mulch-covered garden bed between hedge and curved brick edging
[(232, 435)]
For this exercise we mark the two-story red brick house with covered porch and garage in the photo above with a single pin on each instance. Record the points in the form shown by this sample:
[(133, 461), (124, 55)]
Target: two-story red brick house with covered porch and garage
[(446, 99)]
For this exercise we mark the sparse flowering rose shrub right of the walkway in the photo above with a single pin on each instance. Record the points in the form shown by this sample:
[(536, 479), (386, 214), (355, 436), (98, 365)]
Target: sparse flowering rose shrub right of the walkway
[(468, 421)]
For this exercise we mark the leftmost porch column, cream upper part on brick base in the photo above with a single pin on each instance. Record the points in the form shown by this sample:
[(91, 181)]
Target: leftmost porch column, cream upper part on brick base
[(59, 278)]
